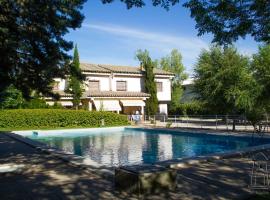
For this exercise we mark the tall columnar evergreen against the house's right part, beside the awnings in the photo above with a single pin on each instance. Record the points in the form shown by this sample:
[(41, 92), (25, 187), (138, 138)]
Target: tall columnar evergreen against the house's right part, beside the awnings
[(149, 81)]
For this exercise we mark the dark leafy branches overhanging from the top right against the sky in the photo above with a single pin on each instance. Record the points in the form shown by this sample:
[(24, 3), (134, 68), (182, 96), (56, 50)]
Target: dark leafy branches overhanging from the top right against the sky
[(227, 20)]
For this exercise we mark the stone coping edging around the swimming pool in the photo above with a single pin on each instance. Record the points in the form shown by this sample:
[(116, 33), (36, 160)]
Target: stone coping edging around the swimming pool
[(108, 172)]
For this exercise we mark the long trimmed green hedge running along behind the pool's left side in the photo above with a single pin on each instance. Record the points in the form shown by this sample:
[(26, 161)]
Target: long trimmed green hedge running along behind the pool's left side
[(56, 118)]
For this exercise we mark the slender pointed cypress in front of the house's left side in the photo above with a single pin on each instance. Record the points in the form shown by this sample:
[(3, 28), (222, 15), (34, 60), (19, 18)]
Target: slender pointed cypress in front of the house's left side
[(75, 80)]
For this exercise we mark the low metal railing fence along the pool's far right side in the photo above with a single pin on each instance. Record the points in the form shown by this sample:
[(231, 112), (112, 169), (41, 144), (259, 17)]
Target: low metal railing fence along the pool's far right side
[(216, 122)]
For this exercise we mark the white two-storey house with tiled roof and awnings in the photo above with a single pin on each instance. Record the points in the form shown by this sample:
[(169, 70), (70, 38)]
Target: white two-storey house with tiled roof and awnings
[(116, 88)]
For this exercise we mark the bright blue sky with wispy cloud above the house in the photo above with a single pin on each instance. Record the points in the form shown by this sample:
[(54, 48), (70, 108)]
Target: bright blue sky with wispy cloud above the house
[(111, 34)]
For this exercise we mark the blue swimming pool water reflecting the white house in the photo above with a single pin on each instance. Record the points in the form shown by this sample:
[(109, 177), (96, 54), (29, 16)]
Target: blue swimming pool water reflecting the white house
[(117, 147)]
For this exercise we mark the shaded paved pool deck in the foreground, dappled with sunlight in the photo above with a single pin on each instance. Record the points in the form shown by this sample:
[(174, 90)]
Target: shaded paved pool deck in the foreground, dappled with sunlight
[(42, 176)]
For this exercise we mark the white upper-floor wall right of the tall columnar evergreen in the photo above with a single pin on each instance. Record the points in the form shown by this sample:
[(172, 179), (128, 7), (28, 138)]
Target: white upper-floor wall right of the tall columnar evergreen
[(165, 95)]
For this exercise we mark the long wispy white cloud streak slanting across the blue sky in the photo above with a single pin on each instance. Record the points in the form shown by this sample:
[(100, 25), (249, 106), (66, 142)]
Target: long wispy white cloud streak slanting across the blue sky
[(159, 44)]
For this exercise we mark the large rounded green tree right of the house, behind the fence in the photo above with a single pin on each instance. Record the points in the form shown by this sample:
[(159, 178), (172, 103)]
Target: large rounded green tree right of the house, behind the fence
[(224, 81)]
